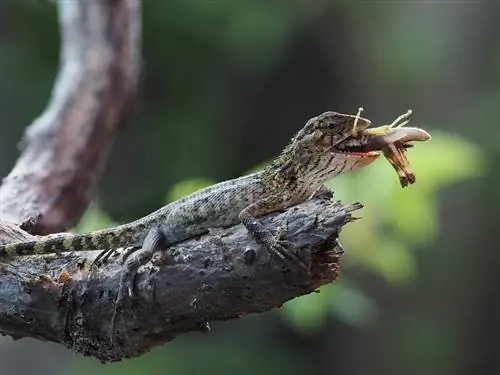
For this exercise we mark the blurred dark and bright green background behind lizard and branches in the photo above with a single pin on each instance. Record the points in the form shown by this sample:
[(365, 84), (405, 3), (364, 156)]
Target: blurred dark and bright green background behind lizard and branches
[(226, 84)]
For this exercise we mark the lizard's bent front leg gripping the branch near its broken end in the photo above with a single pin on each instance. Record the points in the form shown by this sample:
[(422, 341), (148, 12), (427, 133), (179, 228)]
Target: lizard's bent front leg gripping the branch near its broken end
[(280, 248)]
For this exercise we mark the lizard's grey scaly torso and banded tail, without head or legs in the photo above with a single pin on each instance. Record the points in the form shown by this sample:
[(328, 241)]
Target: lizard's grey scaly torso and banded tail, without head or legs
[(214, 206)]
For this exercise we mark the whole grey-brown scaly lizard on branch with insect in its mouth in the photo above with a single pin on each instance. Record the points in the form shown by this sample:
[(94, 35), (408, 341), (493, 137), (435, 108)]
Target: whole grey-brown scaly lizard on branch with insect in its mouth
[(329, 144)]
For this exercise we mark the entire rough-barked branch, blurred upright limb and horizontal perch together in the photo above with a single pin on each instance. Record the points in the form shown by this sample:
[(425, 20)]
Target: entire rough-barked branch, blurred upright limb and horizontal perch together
[(57, 298)]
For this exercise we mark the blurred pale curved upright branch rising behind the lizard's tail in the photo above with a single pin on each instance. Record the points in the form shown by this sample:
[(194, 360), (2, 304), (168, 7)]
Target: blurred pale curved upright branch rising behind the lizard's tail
[(65, 148)]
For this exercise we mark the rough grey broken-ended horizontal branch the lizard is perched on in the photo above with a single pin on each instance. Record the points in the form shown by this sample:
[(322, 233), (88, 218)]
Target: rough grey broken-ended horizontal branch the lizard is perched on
[(219, 276)]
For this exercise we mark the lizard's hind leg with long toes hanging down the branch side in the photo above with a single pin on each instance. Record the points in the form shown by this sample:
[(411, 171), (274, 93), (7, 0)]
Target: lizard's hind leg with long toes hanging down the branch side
[(155, 240)]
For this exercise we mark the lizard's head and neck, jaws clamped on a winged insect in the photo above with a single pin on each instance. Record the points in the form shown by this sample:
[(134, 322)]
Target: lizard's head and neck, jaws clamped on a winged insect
[(333, 143)]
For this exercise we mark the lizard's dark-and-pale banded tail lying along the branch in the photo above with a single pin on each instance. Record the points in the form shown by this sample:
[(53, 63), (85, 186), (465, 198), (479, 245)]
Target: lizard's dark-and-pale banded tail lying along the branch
[(100, 240)]
